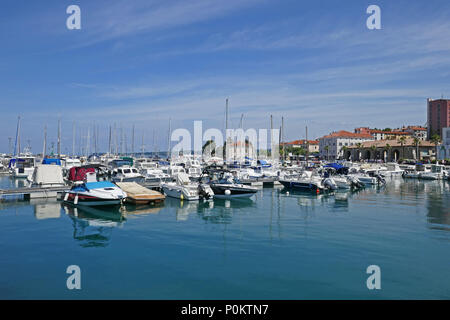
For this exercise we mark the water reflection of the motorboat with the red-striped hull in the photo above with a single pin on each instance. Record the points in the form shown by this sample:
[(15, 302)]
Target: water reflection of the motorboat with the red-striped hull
[(93, 226)]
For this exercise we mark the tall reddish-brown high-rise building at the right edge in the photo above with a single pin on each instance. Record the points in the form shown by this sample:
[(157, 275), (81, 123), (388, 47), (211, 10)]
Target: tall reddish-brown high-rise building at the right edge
[(438, 116)]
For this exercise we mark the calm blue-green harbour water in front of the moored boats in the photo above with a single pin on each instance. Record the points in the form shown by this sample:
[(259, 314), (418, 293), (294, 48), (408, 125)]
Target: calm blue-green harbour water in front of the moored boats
[(273, 246)]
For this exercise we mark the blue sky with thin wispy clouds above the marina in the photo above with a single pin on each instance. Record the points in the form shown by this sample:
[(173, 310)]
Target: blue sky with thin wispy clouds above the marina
[(140, 62)]
